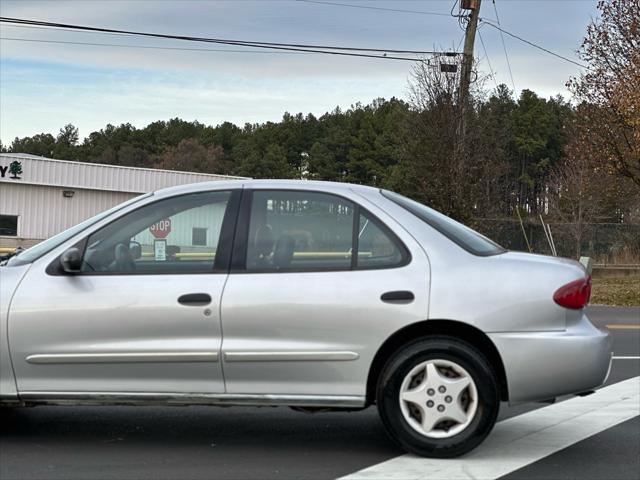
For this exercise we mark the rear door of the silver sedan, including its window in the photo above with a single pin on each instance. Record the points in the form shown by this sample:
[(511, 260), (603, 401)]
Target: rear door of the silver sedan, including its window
[(318, 282)]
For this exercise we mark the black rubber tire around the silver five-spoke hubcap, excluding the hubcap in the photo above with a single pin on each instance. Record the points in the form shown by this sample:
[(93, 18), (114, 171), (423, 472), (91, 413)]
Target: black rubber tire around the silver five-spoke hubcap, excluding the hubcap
[(453, 350)]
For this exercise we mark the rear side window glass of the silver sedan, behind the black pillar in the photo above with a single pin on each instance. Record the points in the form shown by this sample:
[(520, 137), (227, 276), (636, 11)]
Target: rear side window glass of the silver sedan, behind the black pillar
[(312, 231)]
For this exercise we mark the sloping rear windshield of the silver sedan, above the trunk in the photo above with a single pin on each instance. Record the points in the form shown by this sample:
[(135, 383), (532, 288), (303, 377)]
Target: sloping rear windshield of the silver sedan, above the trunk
[(469, 239)]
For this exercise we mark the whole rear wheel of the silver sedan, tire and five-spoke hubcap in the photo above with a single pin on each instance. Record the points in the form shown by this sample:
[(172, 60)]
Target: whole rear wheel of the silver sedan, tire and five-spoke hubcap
[(406, 373)]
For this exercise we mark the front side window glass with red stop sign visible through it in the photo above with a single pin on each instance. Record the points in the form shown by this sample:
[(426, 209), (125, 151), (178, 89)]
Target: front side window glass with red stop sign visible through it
[(175, 235)]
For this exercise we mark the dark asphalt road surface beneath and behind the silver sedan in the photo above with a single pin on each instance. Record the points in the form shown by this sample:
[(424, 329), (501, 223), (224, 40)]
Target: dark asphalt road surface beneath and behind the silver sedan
[(270, 443)]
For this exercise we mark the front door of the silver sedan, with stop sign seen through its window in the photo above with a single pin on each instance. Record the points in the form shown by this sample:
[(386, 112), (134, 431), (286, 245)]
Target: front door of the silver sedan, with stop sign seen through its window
[(142, 315)]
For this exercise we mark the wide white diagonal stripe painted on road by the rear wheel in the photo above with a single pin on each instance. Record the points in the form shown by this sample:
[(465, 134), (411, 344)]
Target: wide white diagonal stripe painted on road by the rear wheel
[(522, 440)]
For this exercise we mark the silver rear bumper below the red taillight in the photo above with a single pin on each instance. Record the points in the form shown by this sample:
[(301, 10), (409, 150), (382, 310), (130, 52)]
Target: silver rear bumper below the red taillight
[(545, 365)]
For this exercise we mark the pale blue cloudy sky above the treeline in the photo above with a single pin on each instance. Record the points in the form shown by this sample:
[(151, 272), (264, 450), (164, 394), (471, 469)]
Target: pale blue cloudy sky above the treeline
[(44, 86)]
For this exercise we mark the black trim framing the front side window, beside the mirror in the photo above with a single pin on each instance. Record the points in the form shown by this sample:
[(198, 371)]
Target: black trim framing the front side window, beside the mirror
[(221, 261)]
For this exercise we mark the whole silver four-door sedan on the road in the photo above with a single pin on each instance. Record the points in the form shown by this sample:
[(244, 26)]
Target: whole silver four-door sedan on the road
[(306, 294)]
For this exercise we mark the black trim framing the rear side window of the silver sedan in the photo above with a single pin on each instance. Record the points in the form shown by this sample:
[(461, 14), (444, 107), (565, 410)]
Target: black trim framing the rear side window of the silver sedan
[(241, 242)]
